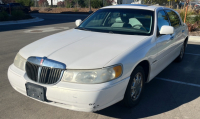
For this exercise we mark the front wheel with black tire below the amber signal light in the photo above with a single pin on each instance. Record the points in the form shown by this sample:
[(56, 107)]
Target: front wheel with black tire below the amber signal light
[(131, 98)]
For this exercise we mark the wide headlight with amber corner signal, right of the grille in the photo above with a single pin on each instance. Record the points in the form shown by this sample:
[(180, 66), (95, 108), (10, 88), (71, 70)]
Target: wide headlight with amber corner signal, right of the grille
[(92, 76)]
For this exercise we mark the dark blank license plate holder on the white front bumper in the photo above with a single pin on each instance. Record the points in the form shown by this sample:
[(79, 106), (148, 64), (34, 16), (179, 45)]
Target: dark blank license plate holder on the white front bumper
[(36, 91)]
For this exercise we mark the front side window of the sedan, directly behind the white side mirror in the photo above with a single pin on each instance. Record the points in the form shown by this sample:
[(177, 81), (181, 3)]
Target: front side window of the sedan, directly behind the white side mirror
[(162, 19)]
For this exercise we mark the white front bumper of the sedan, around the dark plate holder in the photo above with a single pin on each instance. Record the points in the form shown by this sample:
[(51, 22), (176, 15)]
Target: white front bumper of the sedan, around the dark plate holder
[(79, 97)]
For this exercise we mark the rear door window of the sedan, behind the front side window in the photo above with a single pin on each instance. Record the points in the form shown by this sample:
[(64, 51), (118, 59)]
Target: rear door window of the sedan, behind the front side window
[(174, 19)]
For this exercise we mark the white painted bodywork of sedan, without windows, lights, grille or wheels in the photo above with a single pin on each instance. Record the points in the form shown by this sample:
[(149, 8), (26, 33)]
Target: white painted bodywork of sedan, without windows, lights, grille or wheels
[(78, 50)]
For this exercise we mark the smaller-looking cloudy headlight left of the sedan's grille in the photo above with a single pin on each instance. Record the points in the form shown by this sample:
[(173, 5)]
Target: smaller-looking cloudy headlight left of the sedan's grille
[(20, 62)]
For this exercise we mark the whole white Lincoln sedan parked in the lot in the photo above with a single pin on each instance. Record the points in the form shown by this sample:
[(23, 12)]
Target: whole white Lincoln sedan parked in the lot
[(107, 58)]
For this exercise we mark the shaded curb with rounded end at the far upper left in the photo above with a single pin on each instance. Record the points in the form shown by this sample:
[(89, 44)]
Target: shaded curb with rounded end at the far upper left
[(21, 21)]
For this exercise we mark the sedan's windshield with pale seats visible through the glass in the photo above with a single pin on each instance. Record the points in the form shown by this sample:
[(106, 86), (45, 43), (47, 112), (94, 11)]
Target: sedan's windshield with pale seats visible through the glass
[(120, 21)]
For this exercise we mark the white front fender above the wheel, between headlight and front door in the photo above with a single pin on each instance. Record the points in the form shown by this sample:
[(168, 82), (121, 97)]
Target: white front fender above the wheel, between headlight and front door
[(146, 50)]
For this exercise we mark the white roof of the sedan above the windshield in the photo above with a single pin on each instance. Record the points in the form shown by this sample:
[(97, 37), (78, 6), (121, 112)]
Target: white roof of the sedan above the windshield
[(134, 6)]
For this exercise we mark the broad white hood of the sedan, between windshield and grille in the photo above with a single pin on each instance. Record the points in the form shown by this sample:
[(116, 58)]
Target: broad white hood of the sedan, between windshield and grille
[(80, 49)]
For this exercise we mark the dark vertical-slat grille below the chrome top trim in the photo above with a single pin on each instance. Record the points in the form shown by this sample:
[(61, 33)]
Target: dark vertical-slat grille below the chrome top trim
[(43, 74)]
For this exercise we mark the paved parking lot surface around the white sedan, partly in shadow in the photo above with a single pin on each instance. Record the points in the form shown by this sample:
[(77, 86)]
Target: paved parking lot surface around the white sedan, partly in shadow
[(173, 94)]
